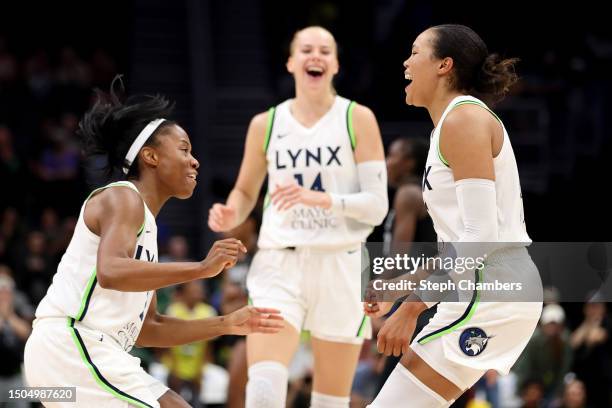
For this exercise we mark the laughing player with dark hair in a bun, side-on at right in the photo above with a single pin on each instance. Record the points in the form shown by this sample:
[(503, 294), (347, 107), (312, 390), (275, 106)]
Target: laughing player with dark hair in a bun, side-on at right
[(472, 191)]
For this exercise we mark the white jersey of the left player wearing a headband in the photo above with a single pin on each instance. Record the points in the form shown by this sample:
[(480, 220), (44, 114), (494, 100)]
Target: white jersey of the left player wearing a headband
[(75, 292)]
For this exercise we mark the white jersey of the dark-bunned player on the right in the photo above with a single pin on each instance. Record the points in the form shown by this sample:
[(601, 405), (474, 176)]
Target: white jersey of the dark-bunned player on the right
[(441, 198)]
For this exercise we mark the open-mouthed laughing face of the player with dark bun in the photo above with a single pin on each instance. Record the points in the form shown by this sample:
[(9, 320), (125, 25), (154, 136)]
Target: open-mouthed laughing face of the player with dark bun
[(423, 70)]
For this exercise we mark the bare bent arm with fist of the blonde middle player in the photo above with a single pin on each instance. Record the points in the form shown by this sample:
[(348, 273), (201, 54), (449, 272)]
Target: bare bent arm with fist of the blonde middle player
[(253, 169)]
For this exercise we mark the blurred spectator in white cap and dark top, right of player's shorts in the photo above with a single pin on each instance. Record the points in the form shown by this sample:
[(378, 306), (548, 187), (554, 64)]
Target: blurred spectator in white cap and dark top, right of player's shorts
[(548, 355)]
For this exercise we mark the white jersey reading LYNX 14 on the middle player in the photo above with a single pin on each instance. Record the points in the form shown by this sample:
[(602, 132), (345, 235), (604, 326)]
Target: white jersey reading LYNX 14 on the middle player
[(319, 158)]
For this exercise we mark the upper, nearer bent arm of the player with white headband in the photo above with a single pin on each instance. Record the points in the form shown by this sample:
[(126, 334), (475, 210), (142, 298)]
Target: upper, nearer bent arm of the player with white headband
[(116, 215)]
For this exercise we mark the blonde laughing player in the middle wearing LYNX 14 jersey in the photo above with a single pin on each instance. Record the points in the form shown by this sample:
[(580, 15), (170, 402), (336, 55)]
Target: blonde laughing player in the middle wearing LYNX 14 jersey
[(324, 159)]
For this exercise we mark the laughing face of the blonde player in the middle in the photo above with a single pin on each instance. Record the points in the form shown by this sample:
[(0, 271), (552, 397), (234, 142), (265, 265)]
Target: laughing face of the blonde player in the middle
[(313, 60)]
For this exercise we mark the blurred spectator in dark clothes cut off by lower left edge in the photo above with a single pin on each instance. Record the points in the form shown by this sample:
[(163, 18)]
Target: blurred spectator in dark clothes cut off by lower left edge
[(15, 327)]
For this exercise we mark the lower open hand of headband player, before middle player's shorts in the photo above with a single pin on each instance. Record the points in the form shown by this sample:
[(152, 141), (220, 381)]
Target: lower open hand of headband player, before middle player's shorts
[(251, 319)]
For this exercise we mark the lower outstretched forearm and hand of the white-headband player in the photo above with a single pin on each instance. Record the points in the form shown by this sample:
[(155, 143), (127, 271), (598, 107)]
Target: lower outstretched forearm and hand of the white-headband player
[(165, 331)]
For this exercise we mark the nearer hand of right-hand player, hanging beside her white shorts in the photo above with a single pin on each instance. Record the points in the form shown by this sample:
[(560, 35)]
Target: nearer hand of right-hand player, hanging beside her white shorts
[(394, 337)]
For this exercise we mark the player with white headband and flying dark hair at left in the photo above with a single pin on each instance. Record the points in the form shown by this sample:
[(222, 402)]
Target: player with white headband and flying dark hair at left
[(102, 300)]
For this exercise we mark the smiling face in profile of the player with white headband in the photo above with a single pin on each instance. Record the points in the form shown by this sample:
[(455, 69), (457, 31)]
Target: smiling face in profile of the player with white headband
[(171, 157)]
